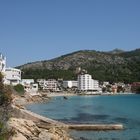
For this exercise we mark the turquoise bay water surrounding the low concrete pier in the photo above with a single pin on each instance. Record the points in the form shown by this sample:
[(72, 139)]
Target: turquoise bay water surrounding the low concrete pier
[(123, 109)]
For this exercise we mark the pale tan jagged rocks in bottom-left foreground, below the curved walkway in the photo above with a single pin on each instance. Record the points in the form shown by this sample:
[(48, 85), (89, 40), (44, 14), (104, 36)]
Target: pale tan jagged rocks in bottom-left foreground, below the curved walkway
[(27, 130)]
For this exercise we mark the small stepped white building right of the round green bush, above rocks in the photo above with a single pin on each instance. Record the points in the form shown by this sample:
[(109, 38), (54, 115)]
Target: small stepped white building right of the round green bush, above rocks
[(30, 86)]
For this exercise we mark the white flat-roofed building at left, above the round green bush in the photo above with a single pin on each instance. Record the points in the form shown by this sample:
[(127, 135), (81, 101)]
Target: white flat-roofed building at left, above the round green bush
[(12, 76)]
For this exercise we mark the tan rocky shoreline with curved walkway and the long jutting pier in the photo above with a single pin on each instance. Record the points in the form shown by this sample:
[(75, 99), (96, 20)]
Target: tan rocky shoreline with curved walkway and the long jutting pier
[(26, 125)]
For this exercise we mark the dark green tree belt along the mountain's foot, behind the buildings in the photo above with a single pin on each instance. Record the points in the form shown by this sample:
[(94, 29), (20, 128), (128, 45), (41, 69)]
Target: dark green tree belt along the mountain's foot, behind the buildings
[(102, 72)]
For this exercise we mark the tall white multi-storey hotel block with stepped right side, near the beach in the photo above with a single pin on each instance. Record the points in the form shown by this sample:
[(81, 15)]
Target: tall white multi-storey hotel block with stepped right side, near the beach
[(86, 83)]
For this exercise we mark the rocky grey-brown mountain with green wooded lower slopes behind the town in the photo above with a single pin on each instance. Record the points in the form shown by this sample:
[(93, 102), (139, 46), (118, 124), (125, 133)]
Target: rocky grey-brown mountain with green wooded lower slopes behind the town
[(103, 66)]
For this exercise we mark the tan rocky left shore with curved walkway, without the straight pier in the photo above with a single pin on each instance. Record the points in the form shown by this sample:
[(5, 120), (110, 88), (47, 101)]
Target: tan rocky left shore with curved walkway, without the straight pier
[(26, 125)]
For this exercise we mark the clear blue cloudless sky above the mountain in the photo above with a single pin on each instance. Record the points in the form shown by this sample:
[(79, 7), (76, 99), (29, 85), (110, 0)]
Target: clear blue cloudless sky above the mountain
[(34, 30)]
